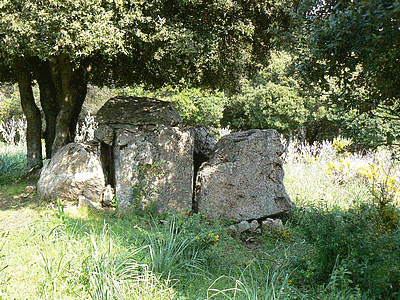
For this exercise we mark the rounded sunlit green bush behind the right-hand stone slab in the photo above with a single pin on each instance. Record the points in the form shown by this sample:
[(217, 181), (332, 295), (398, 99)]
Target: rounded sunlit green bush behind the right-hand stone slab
[(270, 100)]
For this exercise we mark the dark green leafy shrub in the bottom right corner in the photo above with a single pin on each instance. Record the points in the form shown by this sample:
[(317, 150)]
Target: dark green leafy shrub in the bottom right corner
[(365, 241)]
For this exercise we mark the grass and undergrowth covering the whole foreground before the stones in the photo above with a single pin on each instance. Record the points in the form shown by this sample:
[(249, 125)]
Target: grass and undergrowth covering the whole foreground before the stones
[(336, 243)]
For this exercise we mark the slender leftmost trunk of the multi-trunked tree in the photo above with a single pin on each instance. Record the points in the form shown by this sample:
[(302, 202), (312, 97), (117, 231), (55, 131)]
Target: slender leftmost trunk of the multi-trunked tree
[(33, 117)]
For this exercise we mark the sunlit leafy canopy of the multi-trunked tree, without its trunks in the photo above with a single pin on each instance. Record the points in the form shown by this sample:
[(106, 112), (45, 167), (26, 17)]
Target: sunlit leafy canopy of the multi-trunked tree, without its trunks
[(207, 42)]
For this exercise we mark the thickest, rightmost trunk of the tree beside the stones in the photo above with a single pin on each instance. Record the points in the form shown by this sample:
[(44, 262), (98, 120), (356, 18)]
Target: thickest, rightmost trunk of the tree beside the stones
[(71, 93)]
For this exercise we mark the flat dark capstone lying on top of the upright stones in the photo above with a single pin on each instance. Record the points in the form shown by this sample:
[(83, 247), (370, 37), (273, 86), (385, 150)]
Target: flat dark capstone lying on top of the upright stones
[(138, 111)]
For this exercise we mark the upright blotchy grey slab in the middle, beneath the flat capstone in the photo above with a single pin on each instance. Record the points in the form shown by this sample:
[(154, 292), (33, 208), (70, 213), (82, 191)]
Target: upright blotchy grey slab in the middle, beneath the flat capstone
[(154, 163)]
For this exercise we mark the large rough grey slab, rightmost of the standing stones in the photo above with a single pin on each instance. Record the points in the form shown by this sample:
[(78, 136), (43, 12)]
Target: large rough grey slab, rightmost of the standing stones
[(243, 179)]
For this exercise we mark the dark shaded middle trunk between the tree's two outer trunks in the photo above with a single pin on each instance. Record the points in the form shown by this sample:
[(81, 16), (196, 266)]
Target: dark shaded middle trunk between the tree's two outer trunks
[(48, 100)]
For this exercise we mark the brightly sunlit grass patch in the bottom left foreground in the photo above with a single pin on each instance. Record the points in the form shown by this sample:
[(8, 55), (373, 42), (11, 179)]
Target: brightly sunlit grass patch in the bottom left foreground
[(60, 257)]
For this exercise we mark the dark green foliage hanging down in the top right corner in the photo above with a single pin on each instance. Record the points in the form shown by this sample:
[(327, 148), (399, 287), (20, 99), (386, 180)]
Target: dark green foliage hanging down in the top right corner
[(351, 49)]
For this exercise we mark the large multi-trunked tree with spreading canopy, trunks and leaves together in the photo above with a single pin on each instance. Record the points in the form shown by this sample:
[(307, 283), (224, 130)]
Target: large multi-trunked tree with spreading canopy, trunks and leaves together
[(64, 45)]
